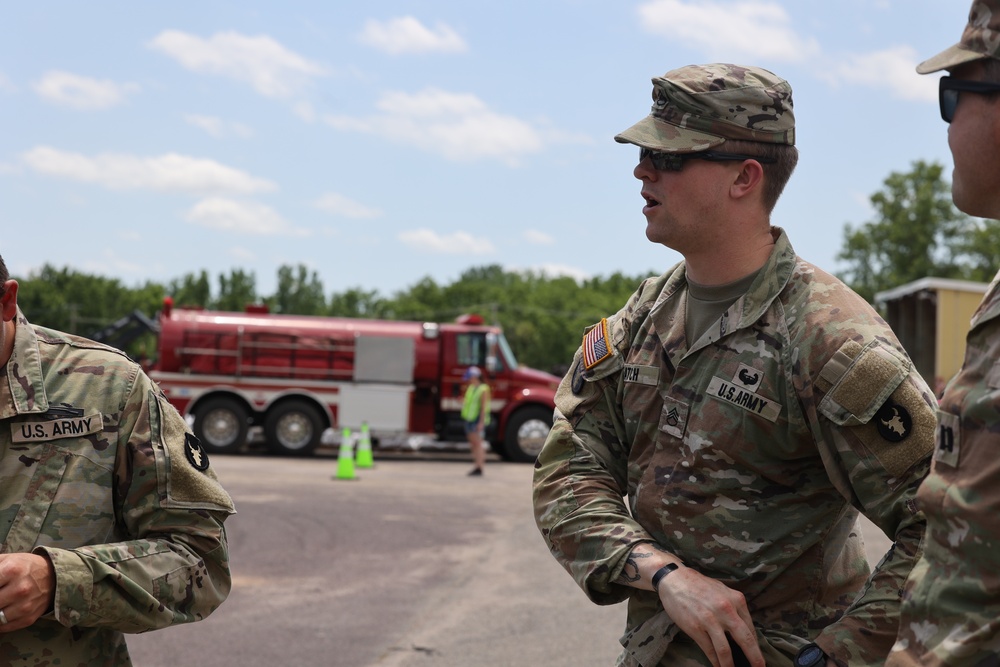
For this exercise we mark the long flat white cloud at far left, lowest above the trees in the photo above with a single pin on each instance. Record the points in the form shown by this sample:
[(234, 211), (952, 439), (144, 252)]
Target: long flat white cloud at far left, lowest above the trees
[(166, 173)]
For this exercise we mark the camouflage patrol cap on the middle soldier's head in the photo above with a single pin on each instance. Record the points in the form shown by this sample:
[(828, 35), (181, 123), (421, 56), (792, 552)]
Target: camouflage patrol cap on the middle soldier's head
[(700, 106)]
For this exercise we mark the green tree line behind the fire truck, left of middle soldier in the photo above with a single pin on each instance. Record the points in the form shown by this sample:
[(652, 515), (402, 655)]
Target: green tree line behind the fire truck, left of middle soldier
[(542, 317)]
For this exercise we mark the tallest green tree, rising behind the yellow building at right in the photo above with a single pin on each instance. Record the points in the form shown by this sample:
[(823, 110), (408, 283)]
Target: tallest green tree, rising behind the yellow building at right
[(917, 232)]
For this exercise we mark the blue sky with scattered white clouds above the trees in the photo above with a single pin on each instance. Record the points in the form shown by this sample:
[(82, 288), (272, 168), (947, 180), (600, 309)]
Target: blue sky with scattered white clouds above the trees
[(379, 143)]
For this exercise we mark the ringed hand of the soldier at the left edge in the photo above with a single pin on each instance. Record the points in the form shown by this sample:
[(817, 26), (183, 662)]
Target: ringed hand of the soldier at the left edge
[(27, 589)]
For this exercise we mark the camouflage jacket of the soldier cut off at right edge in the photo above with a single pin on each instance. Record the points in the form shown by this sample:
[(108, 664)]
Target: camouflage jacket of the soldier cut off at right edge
[(951, 605)]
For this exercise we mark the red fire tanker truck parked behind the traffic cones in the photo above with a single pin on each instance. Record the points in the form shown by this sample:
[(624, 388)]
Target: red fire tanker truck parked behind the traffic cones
[(296, 376)]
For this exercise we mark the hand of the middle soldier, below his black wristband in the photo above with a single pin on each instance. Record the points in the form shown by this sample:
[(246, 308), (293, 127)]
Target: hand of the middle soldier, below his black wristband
[(705, 610)]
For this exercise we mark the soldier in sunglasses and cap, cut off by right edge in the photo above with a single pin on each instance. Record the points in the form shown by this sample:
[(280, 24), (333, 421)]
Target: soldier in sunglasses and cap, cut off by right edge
[(951, 607)]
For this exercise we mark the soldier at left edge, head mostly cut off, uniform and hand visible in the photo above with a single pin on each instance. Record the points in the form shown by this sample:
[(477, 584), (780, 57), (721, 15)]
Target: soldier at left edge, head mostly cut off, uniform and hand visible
[(111, 519)]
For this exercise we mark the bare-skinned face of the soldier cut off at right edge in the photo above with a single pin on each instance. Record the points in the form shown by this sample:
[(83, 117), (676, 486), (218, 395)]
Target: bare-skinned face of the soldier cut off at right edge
[(974, 139)]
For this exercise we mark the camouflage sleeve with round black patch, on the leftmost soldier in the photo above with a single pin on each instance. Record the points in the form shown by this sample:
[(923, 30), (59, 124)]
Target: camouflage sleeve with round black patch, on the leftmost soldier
[(172, 565)]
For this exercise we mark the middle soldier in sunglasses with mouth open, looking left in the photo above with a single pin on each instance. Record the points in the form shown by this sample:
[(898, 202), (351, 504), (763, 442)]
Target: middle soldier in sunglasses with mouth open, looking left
[(747, 406)]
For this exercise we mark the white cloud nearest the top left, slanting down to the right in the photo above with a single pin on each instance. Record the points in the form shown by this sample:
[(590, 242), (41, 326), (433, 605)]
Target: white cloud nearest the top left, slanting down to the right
[(269, 67)]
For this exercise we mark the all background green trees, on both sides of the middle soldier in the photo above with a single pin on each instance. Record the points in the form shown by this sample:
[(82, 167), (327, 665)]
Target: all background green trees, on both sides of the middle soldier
[(916, 232)]
